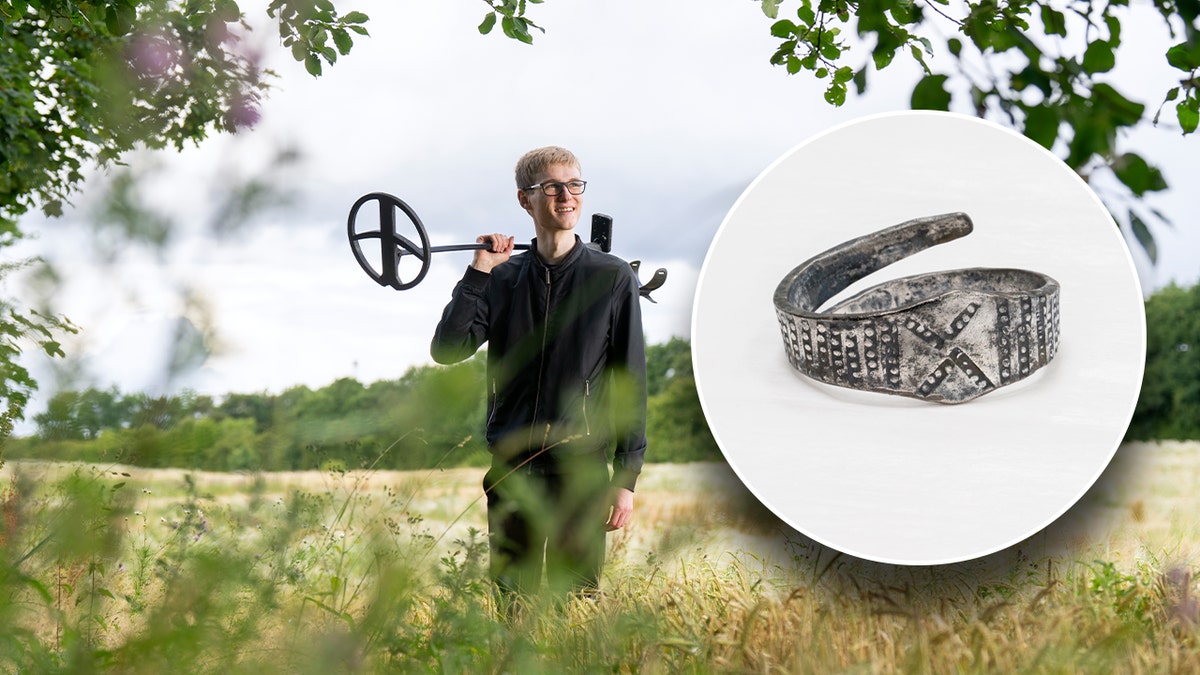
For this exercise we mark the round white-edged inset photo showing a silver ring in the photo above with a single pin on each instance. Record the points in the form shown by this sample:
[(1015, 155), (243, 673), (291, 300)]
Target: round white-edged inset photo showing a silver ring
[(919, 338)]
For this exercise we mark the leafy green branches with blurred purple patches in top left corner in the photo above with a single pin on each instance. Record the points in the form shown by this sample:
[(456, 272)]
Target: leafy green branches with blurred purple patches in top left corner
[(87, 82)]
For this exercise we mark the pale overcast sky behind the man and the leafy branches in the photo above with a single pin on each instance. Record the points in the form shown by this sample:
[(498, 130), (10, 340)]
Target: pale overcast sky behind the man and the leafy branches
[(673, 109)]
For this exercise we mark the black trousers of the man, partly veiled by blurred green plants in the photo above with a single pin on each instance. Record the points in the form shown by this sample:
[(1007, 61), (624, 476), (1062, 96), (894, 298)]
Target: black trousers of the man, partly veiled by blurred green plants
[(554, 516)]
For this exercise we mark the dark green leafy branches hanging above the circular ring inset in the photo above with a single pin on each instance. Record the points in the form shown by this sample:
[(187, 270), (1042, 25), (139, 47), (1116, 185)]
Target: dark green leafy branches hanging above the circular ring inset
[(1041, 67)]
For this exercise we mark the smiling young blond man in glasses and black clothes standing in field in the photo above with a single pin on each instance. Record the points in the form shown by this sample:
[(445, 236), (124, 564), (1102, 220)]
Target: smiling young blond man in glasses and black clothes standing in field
[(566, 381)]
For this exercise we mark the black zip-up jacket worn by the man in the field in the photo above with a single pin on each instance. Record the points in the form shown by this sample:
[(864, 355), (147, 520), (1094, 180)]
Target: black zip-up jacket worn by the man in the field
[(566, 357)]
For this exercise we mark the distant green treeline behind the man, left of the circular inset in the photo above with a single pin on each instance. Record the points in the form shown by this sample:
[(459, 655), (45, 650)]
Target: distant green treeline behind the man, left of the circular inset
[(433, 416)]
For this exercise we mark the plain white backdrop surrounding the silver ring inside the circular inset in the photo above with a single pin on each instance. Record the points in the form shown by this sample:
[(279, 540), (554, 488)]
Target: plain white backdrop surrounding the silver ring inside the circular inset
[(896, 480)]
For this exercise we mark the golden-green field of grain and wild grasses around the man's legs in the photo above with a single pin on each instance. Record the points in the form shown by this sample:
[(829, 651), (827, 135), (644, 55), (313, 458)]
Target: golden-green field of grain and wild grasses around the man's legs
[(145, 571)]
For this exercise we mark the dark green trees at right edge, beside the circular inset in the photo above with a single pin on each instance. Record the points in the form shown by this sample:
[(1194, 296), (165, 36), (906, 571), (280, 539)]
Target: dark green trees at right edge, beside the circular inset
[(1169, 404)]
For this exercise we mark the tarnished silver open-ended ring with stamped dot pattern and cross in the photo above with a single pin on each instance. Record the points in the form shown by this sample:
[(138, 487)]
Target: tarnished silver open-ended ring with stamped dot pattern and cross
[(946, 337)]
